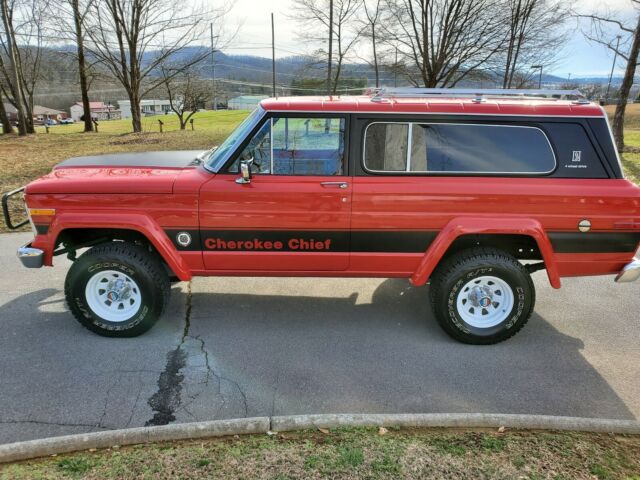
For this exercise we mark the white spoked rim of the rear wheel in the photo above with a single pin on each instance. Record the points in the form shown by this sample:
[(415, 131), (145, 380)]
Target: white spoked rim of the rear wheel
[(485, 302)]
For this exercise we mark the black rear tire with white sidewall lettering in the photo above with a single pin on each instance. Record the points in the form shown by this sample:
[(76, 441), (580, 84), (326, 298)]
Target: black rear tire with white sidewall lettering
[(455, 274)]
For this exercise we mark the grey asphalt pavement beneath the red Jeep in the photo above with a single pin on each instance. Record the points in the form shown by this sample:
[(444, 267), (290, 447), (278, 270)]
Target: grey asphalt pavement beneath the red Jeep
[(234, 347)]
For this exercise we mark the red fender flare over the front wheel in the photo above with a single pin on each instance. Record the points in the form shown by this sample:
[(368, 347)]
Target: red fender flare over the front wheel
[(129, 221)]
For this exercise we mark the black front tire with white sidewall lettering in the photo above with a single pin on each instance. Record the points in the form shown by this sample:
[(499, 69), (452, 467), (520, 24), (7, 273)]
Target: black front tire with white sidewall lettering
[(135, 262)]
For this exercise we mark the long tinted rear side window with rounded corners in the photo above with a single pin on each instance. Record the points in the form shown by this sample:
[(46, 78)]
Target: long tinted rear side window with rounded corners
[(457, 148)]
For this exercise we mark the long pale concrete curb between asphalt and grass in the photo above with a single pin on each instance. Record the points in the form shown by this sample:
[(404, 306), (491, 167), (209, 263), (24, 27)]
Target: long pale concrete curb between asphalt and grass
[(13, 452)]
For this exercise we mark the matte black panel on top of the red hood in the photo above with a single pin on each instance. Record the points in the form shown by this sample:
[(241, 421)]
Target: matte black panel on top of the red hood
[(177, 159)]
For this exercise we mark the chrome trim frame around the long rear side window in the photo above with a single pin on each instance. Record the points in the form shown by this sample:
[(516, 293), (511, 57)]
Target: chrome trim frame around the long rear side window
[(438, 173)]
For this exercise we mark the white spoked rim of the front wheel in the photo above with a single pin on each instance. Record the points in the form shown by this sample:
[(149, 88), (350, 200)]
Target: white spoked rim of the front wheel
[(113, 296)]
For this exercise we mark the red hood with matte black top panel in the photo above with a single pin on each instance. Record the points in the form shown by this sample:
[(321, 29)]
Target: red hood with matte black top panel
[(142, 173)]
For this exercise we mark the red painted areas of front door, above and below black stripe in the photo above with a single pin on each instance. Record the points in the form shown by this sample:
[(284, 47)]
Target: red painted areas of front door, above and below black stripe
[(278, 203)]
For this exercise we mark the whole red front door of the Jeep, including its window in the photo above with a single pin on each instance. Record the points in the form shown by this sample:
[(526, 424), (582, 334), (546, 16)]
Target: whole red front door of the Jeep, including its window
[(295, 213)]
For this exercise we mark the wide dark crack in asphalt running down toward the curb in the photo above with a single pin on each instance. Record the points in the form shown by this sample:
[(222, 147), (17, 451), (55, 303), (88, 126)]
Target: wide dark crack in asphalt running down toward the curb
[(167, 400)]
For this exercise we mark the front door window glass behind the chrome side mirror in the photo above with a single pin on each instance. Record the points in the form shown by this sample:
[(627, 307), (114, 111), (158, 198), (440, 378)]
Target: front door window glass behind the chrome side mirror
[(297, 146)]
